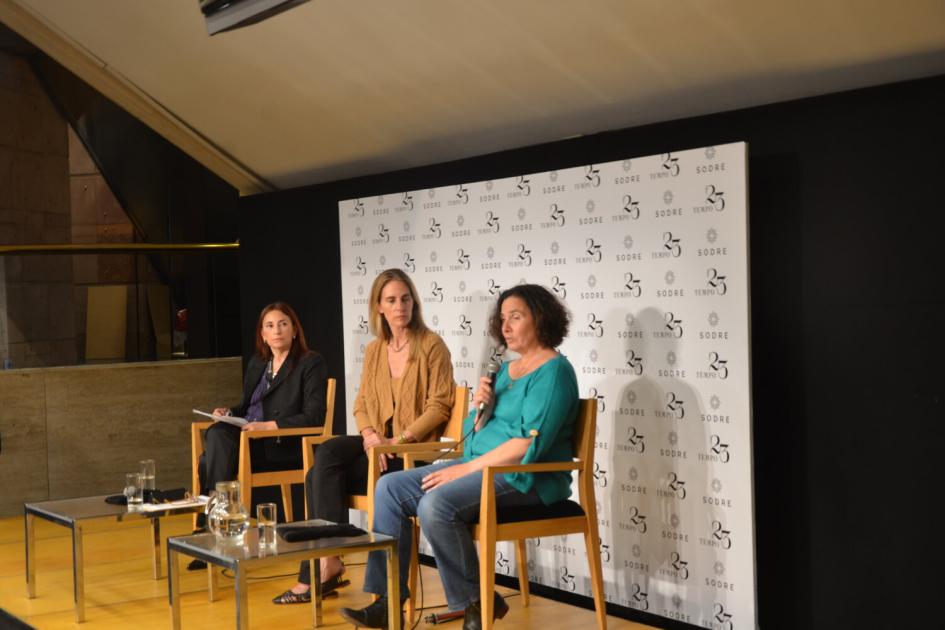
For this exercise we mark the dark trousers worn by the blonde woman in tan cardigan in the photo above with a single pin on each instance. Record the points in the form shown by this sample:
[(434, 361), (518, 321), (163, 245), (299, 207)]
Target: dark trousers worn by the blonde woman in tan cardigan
[(340, 469)]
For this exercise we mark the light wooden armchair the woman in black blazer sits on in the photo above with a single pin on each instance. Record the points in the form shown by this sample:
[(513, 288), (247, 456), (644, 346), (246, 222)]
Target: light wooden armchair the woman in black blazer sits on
[(249, 478)]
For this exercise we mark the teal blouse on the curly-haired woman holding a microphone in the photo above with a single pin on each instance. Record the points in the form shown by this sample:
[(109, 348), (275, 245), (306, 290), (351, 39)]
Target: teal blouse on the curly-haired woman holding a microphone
[(544, 400)]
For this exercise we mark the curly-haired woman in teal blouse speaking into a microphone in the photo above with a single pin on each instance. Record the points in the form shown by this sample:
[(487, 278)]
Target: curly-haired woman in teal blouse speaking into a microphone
[(528, 417)]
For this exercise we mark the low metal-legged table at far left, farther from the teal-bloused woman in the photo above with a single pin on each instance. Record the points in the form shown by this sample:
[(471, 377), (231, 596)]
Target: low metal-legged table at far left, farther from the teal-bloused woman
[(72, 513)]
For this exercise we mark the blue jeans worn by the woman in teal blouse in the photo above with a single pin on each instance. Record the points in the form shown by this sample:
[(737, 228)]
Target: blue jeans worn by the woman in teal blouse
[(444, 516)]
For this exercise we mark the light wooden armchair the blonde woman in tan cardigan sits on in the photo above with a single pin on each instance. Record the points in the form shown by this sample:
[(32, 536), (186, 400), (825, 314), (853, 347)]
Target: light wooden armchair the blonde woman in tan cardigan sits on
[(365, 502)]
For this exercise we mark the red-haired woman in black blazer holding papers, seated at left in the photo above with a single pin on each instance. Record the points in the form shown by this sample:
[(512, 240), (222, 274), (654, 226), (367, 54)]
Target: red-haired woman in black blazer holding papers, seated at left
[(283, 388)]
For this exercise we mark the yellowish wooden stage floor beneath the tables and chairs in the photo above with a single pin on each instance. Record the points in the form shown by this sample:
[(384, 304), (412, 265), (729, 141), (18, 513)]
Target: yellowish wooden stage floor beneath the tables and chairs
[(120, 592)]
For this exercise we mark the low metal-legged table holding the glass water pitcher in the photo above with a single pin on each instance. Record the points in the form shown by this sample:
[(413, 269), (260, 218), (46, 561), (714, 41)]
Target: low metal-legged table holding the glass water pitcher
[(239, 558)]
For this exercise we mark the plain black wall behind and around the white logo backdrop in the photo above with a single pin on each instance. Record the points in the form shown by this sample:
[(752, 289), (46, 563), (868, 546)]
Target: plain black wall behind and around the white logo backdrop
[(847, 212)]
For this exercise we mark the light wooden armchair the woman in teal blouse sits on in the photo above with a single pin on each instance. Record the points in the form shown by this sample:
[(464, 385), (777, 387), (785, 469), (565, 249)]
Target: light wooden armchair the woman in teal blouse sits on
[(565, 517)]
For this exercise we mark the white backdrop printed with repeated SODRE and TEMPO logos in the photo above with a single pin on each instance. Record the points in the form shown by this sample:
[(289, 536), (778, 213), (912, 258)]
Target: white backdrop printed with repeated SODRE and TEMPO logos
[(651, 256)]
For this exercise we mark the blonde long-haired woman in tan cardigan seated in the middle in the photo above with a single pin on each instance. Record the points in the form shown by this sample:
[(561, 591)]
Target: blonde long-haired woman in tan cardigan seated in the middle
[(406, 395)]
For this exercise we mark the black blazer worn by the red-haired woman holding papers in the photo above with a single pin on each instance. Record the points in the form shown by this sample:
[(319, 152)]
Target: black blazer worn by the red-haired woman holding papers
[(295, 399)]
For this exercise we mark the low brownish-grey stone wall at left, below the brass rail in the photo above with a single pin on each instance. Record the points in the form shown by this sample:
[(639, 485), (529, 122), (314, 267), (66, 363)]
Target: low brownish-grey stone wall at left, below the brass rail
[(74, 431)]
